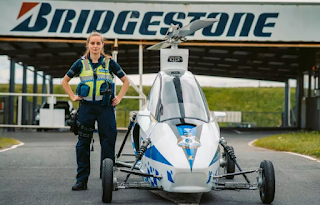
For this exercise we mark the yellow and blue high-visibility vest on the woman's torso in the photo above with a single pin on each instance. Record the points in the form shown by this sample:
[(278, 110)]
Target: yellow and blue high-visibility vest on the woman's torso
[(94, 81)]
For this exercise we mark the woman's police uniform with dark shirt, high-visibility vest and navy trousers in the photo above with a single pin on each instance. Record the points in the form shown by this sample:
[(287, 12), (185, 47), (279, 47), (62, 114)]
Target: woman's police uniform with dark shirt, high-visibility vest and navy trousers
[(96, 106)]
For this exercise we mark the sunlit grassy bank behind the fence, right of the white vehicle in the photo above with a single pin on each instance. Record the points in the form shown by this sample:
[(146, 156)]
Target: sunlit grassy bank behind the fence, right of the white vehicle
[(261, 106)]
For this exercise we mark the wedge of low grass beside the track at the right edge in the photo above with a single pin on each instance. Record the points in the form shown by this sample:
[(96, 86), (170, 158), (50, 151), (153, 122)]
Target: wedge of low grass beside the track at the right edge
[(307, 143)]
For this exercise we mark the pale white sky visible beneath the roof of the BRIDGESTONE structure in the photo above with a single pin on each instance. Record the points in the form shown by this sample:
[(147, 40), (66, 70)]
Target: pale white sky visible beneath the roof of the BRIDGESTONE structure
[(148, 79)]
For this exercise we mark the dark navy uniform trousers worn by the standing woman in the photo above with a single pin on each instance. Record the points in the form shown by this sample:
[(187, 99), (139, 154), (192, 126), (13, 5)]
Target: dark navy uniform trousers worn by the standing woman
[(87, 115)]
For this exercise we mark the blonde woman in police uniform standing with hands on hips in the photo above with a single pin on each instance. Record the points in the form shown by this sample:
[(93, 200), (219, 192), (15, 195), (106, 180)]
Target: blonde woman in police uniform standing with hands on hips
[(96, 93)]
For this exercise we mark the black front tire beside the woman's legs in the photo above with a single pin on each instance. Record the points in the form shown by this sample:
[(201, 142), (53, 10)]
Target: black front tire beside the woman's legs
[(107, 180)]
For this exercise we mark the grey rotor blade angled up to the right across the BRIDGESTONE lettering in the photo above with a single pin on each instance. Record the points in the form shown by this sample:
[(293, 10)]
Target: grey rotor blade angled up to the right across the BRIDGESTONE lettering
[(193, 27)]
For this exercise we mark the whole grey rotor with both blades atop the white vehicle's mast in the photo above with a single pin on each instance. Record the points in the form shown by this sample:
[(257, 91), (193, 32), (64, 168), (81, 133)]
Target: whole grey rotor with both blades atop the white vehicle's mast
[(178, 35)]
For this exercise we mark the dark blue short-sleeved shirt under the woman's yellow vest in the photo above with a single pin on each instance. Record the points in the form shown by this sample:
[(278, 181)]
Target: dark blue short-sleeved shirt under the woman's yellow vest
[(114, 68)]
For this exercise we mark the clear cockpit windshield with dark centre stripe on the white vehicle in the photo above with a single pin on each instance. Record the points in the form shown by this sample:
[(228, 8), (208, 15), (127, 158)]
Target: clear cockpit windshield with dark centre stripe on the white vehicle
[(181, 97)]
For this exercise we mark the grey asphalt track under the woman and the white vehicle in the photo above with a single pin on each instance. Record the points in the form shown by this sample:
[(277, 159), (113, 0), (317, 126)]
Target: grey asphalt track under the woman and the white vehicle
[(43, 171)]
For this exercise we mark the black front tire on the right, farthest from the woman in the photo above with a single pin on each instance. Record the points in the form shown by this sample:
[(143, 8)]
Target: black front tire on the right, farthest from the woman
[(268, 188)]
